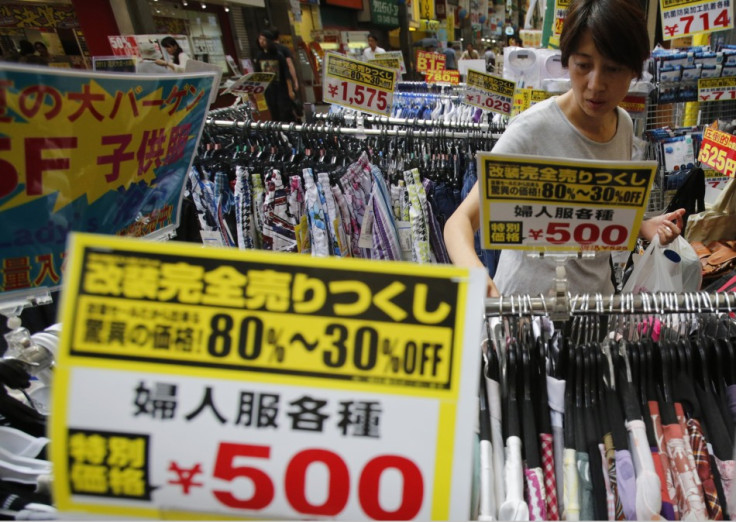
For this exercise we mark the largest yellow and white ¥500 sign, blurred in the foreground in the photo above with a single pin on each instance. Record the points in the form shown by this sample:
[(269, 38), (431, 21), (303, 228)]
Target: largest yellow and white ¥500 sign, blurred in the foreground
[(263, 385)]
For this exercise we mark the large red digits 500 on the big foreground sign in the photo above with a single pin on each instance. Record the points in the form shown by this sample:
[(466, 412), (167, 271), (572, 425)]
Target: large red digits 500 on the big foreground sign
[(252, 458)]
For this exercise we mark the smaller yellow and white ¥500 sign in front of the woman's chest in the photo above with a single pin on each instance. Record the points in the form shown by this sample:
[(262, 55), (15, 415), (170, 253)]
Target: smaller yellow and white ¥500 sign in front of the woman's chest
[(530, 203)]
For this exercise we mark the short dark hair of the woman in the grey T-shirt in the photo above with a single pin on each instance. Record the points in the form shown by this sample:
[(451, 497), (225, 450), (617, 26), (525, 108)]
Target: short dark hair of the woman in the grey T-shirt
[(618, 28)]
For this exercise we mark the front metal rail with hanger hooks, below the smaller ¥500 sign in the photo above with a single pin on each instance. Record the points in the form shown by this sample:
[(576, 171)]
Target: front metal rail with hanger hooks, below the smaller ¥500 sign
[(586, 304)]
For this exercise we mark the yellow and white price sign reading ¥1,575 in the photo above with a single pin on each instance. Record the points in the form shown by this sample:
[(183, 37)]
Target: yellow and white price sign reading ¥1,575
[(358, 85)]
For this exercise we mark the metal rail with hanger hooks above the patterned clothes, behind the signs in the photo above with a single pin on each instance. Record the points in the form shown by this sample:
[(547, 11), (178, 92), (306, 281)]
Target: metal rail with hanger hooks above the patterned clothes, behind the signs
[(316, 128)]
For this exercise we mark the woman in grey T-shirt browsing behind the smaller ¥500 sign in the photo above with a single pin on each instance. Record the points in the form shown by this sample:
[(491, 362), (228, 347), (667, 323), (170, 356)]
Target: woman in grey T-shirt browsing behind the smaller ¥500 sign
[(604, 44)]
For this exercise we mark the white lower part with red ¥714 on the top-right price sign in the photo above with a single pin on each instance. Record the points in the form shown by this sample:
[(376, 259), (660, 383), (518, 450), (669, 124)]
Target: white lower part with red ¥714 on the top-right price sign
[(687, 20)]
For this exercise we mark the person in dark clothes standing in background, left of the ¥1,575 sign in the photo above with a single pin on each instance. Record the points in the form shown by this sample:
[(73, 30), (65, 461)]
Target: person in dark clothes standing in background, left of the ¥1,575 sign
[(280, 94)]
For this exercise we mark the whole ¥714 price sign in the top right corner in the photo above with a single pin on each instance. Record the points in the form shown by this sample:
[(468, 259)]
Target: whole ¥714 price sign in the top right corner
[(688, 17)]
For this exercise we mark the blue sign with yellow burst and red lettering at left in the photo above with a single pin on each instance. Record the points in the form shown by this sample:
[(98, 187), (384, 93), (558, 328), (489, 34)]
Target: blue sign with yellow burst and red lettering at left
[(96, 152)]
